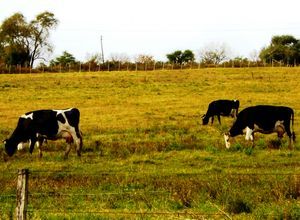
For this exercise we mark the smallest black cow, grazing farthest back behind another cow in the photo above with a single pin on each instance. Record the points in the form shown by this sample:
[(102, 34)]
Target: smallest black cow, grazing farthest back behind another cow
[(221, 107)]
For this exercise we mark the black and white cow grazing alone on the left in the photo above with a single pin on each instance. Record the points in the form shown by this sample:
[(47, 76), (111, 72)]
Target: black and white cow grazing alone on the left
[(36, 126)]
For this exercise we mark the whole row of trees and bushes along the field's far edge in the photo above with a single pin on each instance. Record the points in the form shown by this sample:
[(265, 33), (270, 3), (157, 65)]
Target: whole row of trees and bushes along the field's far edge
[(22, 43)]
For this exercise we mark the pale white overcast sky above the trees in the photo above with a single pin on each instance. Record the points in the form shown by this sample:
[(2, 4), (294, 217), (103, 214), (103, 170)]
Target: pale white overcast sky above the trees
[(159, 27)]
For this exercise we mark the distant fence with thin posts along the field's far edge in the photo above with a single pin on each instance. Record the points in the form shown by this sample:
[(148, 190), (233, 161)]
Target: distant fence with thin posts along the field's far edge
[(128, 66)]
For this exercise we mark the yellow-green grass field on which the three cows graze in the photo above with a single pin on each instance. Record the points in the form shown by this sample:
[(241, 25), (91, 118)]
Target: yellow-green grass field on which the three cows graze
[(146, 153)]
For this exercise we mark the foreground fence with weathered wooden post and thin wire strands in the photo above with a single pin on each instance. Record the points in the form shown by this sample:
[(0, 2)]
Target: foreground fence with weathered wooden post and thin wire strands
[(23, 193)]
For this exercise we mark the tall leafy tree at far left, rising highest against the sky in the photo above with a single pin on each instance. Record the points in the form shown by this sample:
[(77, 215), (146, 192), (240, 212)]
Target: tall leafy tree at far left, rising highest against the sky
[(22, 42)]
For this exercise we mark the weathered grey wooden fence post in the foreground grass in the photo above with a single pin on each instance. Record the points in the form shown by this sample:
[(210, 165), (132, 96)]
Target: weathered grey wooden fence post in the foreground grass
[(22, 194)]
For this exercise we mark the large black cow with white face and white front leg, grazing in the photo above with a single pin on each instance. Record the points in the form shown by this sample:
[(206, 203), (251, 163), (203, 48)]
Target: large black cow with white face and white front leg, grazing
[(265, 119)]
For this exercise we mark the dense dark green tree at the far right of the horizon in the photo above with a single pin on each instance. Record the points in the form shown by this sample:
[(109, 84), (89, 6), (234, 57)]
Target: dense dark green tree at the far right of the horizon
[(283, 48)]
